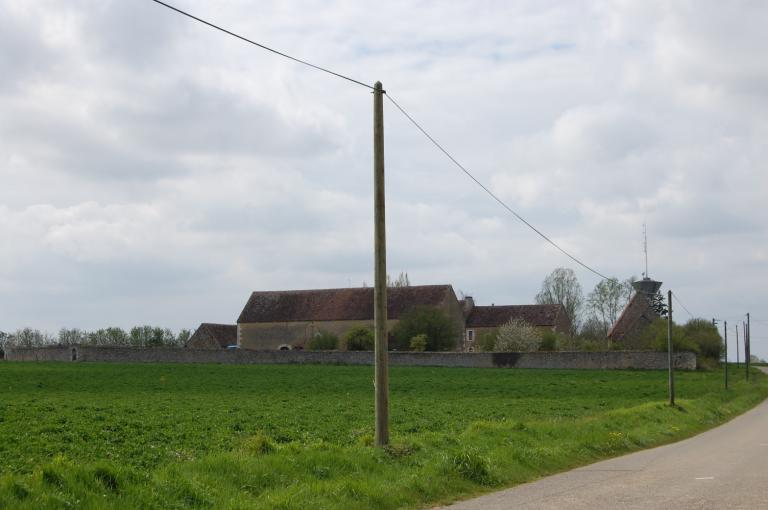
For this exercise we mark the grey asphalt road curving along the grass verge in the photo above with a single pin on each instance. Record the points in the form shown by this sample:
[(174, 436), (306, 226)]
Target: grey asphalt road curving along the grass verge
[(723, 468)]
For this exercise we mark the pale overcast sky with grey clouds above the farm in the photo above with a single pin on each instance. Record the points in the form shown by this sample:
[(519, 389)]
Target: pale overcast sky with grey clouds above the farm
[(156, 171)]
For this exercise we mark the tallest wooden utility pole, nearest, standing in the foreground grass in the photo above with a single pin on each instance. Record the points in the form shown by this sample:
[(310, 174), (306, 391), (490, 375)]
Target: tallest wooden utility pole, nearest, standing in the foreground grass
[(381, 380)]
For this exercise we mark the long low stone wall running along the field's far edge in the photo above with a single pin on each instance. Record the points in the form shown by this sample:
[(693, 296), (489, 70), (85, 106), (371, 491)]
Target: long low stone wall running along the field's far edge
[(646, 360)]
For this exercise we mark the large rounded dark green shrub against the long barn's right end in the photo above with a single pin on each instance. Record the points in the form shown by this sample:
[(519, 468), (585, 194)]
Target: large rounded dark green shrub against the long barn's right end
[(441, 331)]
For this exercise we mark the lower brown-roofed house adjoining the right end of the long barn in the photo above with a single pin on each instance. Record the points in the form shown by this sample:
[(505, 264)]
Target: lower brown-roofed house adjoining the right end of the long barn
[(483, 319)]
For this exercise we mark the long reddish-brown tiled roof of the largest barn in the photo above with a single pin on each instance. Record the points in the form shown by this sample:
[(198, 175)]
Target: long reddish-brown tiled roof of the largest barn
[(337, 304)]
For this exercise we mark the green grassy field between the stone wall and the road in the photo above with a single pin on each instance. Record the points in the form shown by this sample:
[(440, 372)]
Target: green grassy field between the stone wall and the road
[(218, 436)]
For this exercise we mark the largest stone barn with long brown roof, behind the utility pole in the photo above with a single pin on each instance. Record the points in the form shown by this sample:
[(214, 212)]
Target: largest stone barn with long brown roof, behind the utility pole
[(288, 319)]
